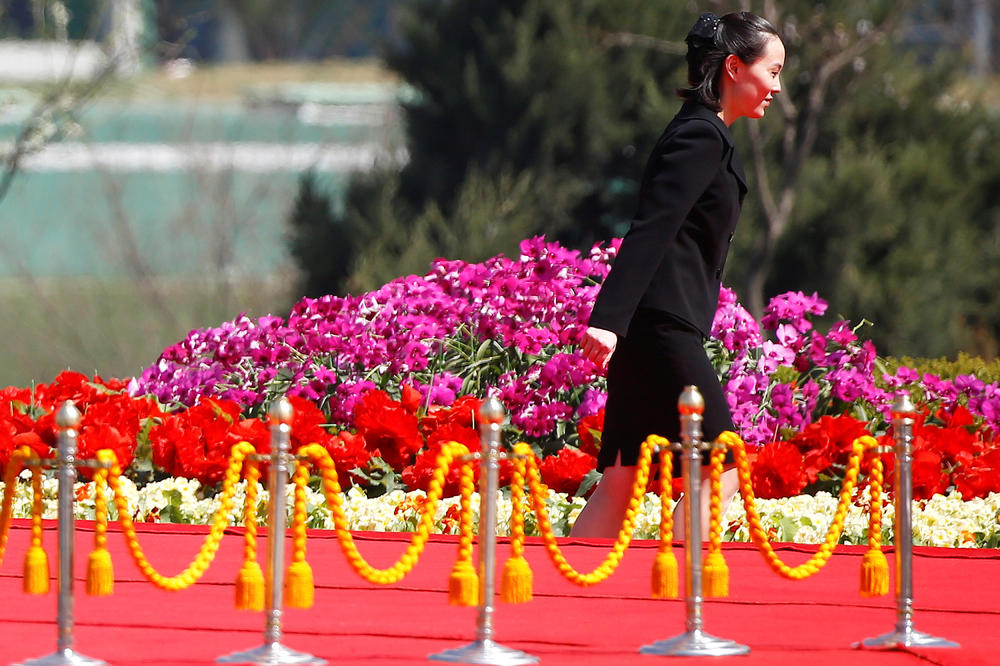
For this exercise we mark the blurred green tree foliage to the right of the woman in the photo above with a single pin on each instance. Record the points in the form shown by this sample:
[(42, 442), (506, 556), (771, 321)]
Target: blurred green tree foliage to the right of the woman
[(898, 199)]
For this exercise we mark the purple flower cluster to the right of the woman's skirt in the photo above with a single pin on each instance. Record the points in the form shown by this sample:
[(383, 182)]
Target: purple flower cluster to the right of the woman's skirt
[(775, 388)]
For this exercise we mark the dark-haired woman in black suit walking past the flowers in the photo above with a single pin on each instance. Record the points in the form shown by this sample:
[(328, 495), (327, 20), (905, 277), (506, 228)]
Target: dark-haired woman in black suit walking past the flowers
[(656, 306)]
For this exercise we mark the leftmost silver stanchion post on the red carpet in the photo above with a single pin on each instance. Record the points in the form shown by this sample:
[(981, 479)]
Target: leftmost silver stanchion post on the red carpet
[(67, 420)]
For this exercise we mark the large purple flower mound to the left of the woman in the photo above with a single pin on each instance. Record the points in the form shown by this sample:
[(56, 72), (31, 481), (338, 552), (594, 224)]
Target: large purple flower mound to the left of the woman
[(504, 326)]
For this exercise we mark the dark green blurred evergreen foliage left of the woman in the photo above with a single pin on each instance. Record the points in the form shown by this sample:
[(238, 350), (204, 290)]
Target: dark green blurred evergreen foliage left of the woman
[(531, 117)]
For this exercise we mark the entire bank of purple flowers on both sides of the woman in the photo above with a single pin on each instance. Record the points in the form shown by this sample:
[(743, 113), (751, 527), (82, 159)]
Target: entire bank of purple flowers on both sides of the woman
[(509, 328)]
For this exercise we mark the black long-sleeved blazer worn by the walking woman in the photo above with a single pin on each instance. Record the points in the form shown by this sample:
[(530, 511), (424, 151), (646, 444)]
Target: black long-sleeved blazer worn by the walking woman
[(672, 257)]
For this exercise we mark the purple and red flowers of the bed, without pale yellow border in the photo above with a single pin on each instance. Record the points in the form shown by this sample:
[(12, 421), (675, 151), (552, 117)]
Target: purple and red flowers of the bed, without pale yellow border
[(382, 379)]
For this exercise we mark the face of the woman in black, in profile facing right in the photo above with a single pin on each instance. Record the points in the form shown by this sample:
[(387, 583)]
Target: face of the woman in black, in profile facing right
[(752, 86)]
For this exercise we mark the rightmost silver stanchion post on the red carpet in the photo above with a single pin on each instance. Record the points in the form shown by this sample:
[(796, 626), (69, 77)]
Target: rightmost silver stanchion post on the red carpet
[(904, 635)]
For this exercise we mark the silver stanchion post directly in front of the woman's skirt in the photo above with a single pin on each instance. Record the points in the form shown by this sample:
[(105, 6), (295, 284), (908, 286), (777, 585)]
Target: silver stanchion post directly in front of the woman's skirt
[(694, 642)]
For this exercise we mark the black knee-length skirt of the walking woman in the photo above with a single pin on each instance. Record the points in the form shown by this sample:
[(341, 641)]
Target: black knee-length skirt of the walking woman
[(647, 373)]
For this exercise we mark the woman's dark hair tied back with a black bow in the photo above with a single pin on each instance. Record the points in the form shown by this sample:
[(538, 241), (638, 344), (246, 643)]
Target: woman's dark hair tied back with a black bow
[(711, 40)]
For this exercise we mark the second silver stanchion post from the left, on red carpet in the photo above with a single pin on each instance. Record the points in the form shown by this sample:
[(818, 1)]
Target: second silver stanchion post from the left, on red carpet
[(273, 652)]
